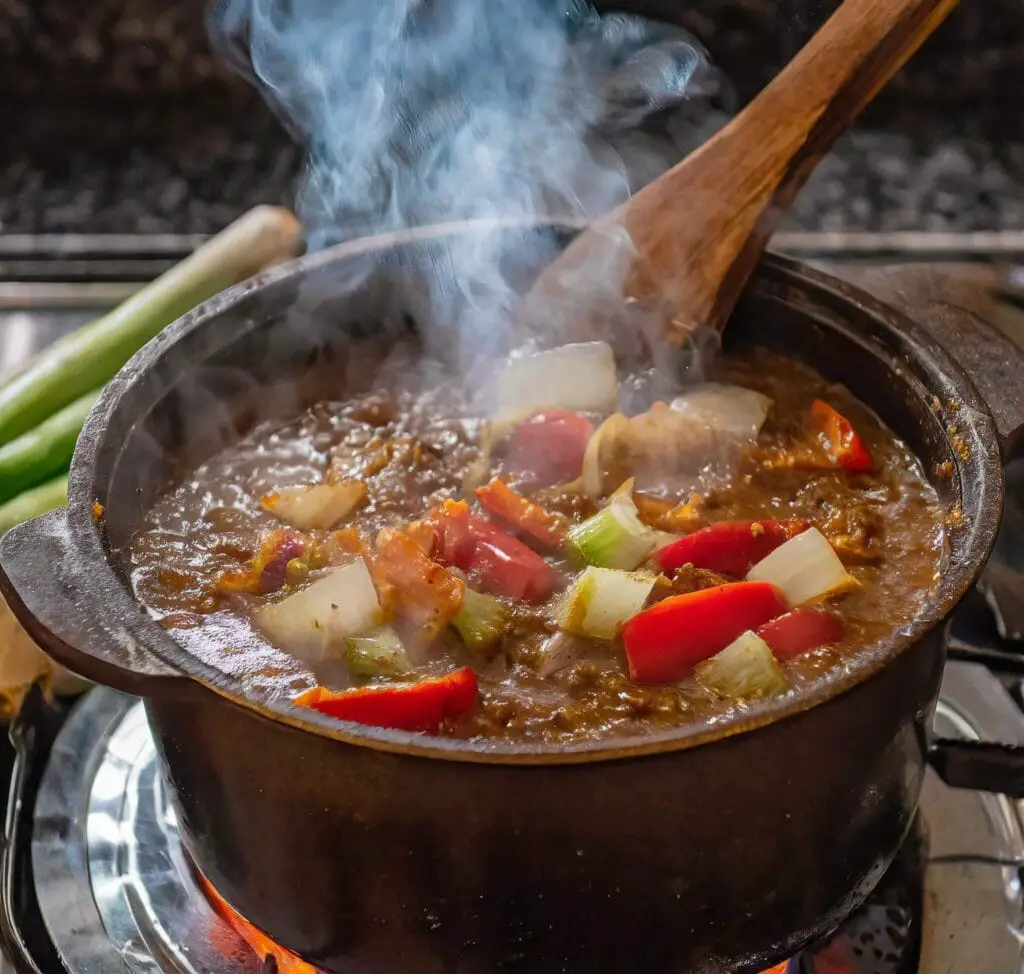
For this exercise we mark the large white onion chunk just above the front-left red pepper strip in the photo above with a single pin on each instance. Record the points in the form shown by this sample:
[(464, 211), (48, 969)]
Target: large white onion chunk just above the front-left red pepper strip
[(314, 623)]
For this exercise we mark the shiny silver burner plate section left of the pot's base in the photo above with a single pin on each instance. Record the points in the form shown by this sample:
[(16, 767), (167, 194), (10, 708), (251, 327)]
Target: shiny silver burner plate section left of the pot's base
[(115, 890)]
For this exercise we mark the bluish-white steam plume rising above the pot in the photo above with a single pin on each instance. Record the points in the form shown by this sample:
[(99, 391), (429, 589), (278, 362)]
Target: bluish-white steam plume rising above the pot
[(416, 112)]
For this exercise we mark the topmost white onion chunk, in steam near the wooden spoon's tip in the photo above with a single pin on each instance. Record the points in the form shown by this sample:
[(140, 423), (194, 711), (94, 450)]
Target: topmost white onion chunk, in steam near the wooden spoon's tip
[(580, 377)]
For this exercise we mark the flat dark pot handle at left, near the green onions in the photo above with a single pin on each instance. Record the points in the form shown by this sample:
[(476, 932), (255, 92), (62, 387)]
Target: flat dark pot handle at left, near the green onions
[(47, 597)]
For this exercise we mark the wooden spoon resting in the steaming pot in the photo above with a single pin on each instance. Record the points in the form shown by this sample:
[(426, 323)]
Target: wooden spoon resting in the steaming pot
[(700, 230)]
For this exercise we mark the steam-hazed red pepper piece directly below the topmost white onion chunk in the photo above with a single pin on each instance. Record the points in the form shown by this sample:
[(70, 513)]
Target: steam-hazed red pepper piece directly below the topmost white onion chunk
[(549, 447)]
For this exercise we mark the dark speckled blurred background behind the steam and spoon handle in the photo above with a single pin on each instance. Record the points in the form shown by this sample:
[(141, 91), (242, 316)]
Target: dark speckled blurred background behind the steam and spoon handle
[(118, 119)]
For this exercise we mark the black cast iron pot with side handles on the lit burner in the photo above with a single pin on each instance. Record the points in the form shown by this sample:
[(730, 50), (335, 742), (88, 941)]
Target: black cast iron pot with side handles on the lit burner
[(383, 853)]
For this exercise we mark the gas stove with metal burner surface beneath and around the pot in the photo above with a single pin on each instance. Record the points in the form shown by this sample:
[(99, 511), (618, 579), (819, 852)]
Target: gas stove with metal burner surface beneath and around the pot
[(94, 877)]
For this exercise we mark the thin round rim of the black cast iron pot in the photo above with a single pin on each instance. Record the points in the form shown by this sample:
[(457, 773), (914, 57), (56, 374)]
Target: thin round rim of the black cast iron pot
[(911, 342)]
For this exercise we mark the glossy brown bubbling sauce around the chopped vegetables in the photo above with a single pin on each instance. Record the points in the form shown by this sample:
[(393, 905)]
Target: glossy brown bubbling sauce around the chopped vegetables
[(413, 447)]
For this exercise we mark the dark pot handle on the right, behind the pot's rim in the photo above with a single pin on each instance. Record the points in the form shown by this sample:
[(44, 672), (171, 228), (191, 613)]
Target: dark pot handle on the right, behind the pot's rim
[(958, 314)]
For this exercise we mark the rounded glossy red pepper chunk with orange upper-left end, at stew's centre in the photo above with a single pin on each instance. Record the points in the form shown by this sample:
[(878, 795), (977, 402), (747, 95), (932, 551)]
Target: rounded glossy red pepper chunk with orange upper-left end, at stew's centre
[(495, 561)]
